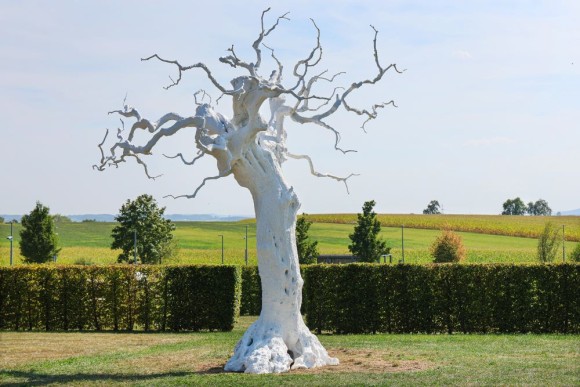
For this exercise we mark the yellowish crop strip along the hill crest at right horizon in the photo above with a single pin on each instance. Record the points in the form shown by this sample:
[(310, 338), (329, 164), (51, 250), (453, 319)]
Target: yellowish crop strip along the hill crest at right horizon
[(520, 226)]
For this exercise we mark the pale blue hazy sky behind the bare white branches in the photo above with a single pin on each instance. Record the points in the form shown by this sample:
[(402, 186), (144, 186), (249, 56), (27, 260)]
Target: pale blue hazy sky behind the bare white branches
[(489, 107)]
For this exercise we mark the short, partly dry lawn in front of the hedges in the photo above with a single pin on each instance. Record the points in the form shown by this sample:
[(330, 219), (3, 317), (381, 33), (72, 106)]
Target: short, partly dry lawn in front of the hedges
[(33, 358)]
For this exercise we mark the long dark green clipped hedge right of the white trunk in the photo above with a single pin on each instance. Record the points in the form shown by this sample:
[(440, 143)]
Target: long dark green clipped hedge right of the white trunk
[(443, 298)]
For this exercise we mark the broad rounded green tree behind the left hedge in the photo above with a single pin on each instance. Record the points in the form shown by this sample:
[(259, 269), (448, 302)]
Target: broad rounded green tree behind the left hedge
[(154, 232)]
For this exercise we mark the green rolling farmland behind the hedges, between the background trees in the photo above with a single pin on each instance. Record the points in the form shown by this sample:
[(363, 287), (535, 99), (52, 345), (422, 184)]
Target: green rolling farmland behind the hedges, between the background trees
[(200, 242)]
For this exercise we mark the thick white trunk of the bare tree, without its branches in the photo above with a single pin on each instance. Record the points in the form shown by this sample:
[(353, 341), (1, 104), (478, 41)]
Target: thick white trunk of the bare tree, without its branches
[(279, 340)]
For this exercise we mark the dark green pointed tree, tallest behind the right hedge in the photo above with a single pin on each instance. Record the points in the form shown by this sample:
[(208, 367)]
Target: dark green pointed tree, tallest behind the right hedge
[(366, 245)]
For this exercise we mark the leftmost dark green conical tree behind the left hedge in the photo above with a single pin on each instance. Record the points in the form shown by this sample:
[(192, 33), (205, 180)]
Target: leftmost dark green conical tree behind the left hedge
[(38, 239)]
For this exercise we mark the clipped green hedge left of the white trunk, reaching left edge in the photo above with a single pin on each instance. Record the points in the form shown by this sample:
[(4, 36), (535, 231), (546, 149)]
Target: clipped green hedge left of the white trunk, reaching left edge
[(119, 297)]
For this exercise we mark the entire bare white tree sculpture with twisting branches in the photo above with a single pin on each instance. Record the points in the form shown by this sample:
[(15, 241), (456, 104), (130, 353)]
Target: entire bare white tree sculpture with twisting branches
[(253, 149)]
